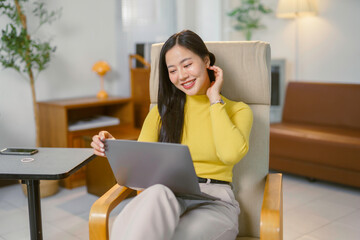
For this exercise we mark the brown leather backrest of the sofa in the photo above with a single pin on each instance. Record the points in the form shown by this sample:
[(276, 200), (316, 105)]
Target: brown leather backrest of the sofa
[(333, 104)]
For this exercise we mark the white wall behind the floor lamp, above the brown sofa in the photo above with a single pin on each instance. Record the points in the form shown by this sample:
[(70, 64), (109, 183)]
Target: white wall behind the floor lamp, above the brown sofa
[(329, 49)]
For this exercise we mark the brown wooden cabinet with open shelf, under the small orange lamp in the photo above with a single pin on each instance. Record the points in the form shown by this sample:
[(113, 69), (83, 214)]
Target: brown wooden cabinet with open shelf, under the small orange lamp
[(55, 117)]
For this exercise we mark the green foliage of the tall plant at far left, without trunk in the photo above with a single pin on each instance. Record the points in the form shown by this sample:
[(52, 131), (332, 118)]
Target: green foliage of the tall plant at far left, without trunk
[(18, 50)]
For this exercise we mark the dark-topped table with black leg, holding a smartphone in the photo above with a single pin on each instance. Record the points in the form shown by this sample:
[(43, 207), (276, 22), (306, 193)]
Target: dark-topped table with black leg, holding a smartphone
[(47, 164)]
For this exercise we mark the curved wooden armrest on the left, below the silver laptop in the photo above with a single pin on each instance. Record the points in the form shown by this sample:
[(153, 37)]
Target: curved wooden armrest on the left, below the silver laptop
[(100, 211)]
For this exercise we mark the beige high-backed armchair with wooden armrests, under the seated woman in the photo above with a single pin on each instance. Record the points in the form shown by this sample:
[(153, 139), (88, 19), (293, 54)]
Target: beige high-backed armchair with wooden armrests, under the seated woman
[(246, 67)]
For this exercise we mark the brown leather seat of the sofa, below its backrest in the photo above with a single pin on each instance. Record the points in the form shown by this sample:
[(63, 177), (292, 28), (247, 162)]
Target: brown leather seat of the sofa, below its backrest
[(332, 146)]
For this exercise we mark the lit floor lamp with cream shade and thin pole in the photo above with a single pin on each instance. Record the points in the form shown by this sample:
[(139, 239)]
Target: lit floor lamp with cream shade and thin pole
[(295, 9)]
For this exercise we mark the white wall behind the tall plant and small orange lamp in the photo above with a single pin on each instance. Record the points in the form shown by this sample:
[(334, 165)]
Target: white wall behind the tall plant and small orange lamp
[(84, 34)]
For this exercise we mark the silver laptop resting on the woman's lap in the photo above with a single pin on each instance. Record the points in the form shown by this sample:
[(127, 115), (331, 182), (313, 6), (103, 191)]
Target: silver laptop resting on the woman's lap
[(143, 164)]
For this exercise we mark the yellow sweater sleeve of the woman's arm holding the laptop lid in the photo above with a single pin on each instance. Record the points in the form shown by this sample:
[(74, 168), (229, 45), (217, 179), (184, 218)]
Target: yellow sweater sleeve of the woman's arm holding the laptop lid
[(149, 130)]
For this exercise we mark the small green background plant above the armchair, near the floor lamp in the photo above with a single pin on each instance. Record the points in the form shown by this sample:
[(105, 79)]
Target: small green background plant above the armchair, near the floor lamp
[(248, 15)]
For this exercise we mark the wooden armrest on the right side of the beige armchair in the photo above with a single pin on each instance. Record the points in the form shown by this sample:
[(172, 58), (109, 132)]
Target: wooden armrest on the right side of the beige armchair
[(271, 219)]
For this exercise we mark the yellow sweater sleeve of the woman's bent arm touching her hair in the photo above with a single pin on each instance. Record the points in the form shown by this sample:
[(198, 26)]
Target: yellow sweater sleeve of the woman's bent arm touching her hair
[(231, 132)]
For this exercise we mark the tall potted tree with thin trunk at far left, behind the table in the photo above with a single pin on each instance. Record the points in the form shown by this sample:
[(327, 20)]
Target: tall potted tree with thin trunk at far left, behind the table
[(26, 54)]
